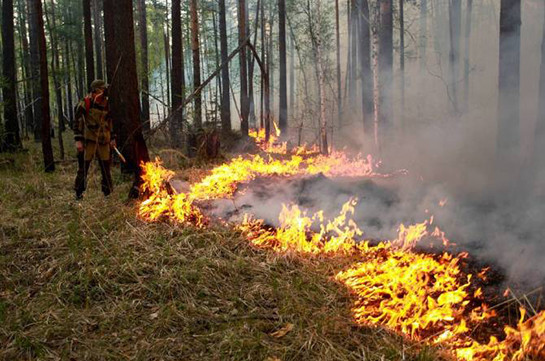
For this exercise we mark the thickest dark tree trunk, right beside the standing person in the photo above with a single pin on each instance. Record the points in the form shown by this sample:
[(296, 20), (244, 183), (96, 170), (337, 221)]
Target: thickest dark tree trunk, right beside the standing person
[(124, 102)]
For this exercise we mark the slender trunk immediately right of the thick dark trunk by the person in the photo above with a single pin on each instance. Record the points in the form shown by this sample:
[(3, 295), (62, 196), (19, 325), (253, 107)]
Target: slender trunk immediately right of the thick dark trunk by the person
[(144, 80)]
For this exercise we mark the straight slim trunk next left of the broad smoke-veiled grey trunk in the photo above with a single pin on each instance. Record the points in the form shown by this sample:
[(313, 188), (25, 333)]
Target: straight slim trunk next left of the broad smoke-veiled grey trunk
[(365, 62)]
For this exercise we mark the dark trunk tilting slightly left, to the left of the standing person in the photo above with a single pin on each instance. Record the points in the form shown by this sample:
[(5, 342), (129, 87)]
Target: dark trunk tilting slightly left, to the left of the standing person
[(37, 36)]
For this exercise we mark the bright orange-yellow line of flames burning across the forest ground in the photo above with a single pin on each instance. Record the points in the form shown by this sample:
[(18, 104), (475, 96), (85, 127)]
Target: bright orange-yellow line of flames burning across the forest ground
[(426, 297)]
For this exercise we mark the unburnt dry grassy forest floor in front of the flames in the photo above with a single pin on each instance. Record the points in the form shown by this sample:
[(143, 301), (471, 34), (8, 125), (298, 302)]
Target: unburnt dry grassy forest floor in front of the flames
[(90, 281)]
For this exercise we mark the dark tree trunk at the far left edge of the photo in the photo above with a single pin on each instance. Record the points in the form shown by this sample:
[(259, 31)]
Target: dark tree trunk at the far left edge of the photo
[(9, 87)]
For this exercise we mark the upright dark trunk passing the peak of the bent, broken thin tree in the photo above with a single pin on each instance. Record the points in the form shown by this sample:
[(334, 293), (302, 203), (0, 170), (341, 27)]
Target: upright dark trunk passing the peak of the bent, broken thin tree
[(244, 101)]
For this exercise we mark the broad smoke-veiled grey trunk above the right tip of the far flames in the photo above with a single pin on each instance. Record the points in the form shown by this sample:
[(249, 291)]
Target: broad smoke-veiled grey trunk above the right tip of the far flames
[(385, 64)]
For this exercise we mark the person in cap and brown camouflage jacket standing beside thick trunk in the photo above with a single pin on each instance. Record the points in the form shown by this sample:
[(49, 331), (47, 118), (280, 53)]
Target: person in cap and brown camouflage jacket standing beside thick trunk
[(94, 136)]
